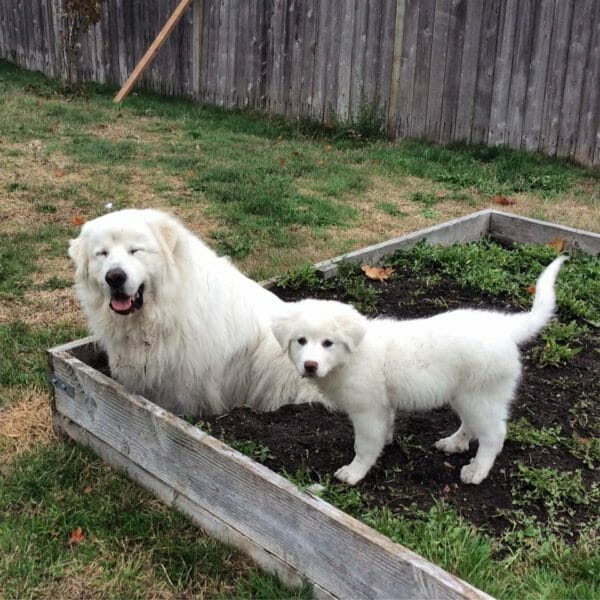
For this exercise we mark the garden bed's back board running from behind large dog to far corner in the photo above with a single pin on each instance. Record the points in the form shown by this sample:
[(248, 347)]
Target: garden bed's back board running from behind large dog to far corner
[(461, 230)]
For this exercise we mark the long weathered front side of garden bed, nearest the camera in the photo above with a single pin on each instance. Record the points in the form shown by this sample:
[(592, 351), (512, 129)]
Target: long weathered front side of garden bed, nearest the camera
[(339, 554)]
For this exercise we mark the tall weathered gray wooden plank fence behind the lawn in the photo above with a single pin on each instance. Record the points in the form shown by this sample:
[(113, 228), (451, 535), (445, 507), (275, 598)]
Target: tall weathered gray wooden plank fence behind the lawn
[(525, 73)]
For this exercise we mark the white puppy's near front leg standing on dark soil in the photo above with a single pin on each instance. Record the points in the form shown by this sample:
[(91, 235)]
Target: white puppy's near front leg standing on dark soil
[(370, 431)]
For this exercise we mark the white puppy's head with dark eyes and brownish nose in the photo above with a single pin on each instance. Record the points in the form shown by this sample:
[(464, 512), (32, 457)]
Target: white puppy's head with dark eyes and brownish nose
[(319, 335)]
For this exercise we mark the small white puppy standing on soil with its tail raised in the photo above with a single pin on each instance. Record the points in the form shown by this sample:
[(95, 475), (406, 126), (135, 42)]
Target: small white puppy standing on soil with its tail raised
[(371, 368)]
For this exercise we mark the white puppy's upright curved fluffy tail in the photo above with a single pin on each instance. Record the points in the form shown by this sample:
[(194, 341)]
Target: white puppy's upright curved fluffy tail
[(528, 325)]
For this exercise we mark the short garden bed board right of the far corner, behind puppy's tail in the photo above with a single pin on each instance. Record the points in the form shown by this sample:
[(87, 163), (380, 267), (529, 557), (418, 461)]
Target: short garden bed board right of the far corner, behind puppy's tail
[(512, 228)]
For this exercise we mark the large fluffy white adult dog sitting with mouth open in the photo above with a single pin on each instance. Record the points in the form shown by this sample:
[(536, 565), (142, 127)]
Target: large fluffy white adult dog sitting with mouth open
[(180, 325)]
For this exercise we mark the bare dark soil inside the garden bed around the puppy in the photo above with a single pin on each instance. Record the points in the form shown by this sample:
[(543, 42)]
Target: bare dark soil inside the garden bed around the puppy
[(411, 473)]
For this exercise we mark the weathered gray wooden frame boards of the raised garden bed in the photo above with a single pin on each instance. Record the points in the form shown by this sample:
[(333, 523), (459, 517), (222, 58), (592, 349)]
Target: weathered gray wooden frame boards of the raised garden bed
[(243, 503)]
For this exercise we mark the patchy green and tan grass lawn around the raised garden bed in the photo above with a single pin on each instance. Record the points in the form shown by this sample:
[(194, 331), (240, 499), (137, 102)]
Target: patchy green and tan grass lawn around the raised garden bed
[(274, 196)]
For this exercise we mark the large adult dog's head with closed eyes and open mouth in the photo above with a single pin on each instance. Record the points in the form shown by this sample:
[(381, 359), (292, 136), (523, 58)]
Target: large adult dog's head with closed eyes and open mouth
[(122, 257)]
